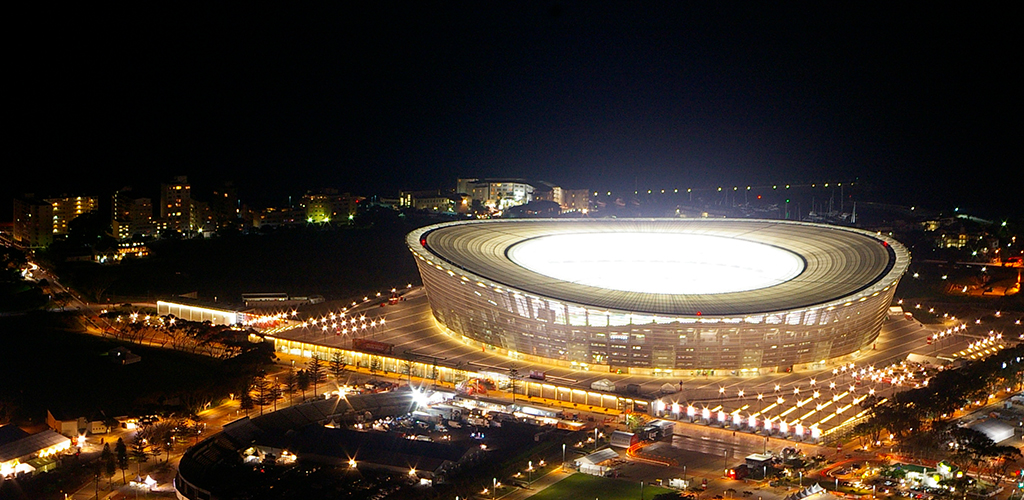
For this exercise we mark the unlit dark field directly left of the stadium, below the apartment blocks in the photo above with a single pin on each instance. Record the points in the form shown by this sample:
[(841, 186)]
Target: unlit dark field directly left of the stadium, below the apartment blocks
[(336, 264)]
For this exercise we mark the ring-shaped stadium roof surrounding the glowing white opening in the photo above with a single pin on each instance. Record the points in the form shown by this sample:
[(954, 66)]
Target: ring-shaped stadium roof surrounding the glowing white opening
[(840, 265)]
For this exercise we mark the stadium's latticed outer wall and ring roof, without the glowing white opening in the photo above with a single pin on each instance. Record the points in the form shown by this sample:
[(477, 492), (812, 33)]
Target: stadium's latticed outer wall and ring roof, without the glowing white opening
[(832, 308)]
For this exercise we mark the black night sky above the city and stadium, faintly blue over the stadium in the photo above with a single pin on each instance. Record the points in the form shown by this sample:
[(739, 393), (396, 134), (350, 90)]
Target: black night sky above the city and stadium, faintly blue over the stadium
[(588, 95)]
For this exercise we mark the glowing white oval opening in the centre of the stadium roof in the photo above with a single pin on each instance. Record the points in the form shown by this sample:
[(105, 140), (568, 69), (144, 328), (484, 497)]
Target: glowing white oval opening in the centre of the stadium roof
[(659, 263)]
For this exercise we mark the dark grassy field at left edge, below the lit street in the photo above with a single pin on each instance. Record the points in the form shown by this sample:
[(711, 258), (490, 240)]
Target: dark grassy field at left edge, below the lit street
[(46, 364)]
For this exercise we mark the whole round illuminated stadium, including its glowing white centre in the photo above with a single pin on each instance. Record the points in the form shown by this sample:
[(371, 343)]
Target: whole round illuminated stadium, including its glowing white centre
[(660, 297)]
